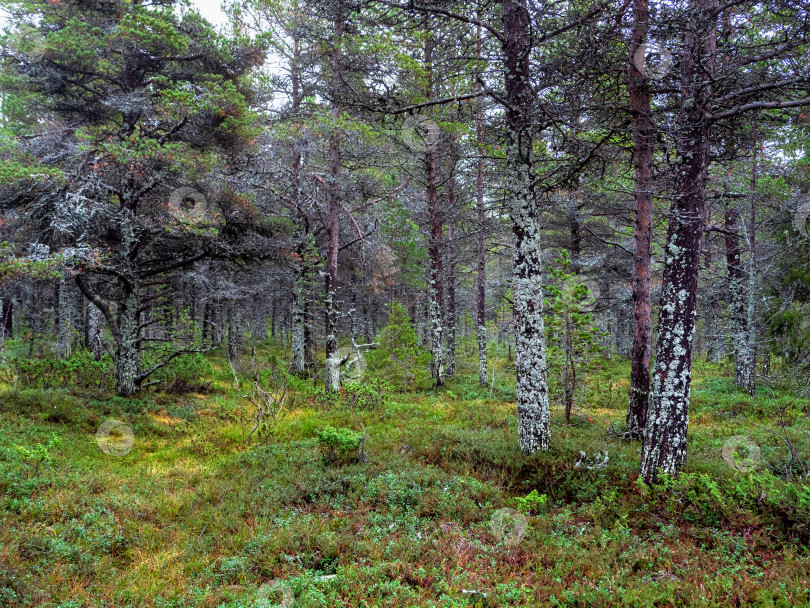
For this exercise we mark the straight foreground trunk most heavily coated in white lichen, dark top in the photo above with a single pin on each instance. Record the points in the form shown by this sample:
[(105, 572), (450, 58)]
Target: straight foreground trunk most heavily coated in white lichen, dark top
[(534, 429)]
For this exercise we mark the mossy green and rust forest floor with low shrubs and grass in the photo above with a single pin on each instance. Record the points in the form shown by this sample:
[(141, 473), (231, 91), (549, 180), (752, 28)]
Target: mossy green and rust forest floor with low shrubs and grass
[(194, 516)]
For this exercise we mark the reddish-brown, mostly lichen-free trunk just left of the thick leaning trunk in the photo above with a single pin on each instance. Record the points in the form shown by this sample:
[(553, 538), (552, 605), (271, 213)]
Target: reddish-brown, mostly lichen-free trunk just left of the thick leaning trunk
[(643, 134)]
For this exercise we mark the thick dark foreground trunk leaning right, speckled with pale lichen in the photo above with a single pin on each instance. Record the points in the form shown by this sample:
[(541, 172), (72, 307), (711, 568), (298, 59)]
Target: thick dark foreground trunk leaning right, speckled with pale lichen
[(664, 449)]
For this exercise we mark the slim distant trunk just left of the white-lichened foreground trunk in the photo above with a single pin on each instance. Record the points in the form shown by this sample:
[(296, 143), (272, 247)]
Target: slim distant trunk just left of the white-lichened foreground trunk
[(480, 245)]
